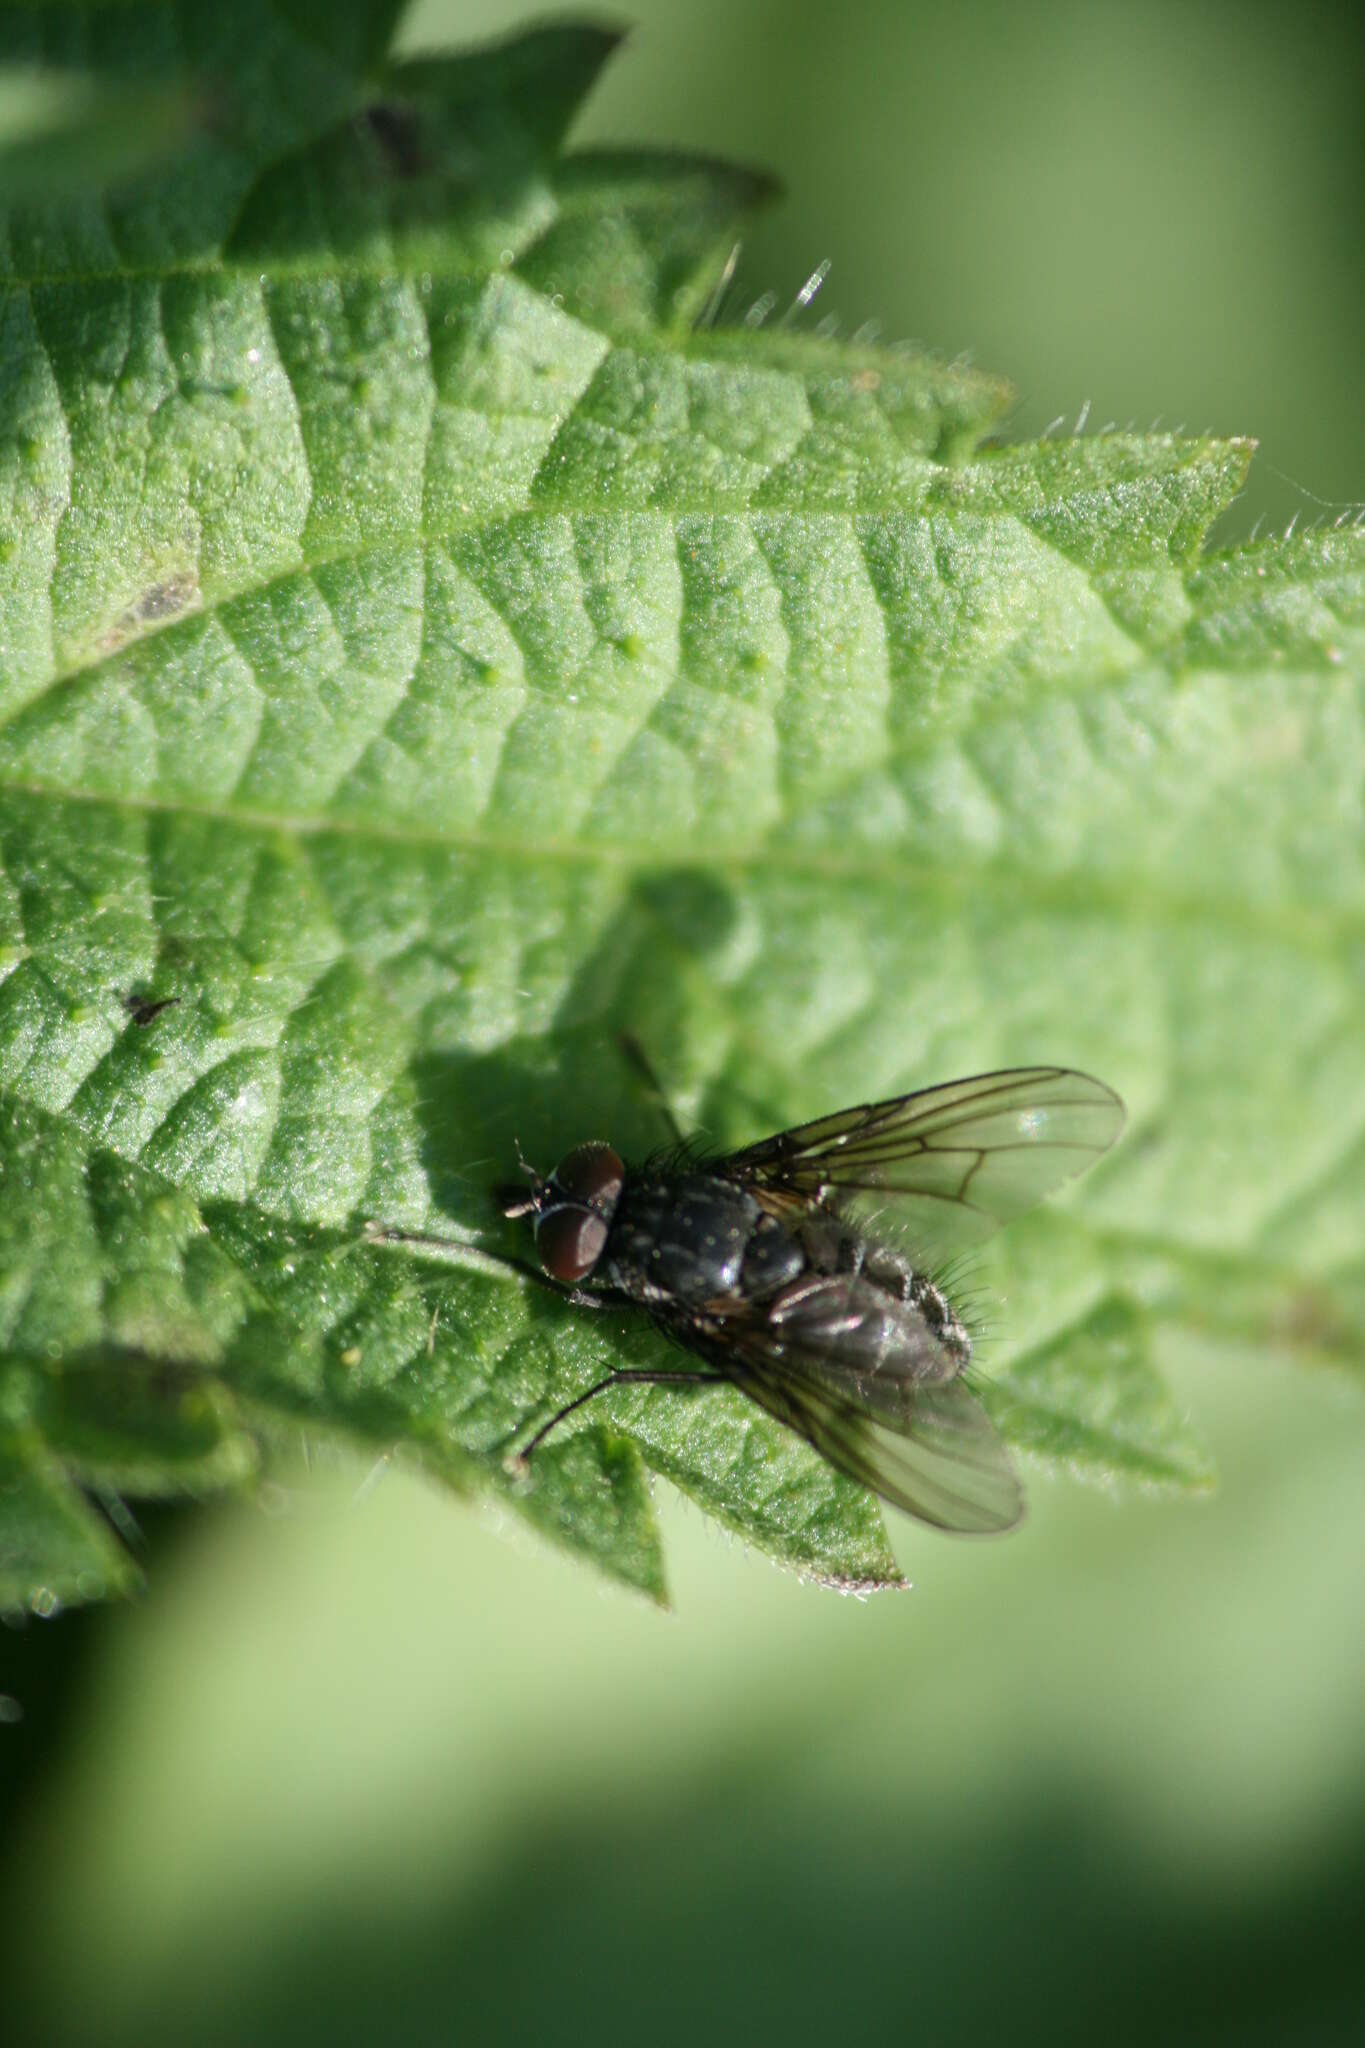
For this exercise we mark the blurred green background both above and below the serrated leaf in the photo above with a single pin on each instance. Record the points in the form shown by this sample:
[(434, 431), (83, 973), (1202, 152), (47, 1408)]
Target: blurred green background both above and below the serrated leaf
[(367, 1766)]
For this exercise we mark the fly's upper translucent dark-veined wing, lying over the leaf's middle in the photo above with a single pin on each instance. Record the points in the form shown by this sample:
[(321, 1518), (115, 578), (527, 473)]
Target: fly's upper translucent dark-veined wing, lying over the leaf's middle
[(951, 1162)]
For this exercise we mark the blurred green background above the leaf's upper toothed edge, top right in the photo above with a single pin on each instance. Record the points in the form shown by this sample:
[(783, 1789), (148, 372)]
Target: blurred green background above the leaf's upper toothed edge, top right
[(1149, 208)]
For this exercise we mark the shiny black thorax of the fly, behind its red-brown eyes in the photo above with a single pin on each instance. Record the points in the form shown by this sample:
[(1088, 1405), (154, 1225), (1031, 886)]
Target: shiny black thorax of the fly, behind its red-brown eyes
[(695, 1240)]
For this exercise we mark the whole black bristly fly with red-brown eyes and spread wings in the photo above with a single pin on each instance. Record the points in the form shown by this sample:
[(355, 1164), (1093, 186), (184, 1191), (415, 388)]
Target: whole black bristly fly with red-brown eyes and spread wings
[(766, 1267)]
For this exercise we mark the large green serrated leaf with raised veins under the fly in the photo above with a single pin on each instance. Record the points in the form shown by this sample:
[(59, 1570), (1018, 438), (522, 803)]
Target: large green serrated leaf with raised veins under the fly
[(427, 648)]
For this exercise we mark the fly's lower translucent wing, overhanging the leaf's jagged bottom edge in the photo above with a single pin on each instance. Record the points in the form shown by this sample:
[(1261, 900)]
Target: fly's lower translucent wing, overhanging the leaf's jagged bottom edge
[(922, 1445)]
